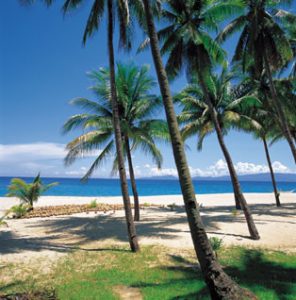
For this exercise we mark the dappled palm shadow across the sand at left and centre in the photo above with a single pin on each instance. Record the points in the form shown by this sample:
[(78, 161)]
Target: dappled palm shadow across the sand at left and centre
[(65, 234)]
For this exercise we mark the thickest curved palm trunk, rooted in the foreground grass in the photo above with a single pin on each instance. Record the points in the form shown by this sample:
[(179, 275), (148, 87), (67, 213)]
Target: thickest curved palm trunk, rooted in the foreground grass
[(219, 283)]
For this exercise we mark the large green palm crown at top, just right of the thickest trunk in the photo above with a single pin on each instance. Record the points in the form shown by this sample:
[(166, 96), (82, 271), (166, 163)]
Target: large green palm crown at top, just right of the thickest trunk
[(186, 38)]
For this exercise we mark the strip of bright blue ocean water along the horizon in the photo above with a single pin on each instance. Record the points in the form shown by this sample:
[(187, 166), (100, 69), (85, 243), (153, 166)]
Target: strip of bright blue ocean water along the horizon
[(146, 187)]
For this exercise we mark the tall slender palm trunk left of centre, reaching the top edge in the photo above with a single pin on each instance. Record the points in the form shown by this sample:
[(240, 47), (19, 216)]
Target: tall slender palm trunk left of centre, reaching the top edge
[(133, 240)]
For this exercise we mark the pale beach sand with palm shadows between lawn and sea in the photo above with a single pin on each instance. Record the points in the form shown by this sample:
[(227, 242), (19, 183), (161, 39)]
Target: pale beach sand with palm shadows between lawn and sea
[(49, 238)]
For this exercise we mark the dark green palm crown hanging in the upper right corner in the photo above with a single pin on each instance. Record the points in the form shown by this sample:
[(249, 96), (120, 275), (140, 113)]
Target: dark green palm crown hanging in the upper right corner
[(259, 30)]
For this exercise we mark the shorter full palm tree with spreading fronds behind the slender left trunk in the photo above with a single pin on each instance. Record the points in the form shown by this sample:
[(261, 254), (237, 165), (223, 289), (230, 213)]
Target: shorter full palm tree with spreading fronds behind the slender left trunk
[(139, 129)]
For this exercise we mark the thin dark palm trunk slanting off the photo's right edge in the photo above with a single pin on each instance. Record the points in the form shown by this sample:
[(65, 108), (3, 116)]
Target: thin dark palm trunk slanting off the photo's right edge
[(282, 118)]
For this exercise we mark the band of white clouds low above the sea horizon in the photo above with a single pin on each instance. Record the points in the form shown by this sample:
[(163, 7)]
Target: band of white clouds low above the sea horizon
[(47, 158)]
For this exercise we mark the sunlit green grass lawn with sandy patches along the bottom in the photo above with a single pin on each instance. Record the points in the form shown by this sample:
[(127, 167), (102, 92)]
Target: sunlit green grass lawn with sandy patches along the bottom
[(155, 274)]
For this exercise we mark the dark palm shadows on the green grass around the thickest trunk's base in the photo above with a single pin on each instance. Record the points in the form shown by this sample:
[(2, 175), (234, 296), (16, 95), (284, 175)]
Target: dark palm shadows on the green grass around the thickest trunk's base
[(254, 272)]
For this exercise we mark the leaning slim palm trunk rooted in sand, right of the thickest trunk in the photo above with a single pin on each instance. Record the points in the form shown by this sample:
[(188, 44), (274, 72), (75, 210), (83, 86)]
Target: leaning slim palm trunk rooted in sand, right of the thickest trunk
[(235, 182)]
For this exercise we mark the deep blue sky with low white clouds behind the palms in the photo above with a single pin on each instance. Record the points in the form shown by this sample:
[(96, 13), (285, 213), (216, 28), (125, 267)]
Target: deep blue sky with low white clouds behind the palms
[(43, 65)]
